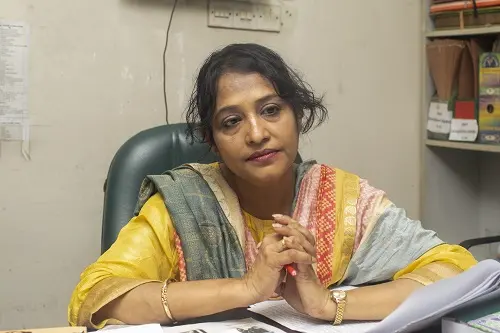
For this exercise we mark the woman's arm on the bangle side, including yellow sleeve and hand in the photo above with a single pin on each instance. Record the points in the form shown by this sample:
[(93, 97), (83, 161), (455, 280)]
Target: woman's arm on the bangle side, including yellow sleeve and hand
[(125, 283)]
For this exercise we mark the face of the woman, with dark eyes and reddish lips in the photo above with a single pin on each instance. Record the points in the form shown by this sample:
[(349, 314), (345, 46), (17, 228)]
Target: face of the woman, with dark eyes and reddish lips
[(254, 130)]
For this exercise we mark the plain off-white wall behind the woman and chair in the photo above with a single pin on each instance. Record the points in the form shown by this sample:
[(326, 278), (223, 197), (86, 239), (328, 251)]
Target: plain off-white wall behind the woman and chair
[(95, 80)]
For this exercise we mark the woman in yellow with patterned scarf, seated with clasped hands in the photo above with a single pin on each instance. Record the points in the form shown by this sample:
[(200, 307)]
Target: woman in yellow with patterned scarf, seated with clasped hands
[(209, 238)]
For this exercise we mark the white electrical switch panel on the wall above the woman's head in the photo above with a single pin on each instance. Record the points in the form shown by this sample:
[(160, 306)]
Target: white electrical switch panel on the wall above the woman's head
[(244, 15)]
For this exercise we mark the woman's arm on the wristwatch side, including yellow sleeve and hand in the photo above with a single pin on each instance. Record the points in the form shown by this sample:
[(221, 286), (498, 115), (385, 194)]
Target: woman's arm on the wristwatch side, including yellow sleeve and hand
[(306, 294)]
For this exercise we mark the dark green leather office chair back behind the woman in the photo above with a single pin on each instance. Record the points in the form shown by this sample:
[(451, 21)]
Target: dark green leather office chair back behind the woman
[(149, 152)]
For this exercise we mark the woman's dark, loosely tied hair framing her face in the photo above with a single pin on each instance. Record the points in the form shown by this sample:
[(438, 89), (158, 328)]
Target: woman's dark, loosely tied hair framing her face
[(250, 58)]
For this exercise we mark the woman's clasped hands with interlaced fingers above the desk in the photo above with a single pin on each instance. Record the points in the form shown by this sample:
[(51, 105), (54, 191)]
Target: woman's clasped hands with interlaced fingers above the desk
[(291, 244)]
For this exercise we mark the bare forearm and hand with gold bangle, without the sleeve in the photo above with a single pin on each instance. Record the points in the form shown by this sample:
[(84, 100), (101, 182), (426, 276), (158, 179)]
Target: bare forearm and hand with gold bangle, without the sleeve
[(193, 299)]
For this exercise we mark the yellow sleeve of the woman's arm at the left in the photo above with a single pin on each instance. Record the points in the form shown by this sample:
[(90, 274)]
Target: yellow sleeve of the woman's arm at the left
[(142, 256)]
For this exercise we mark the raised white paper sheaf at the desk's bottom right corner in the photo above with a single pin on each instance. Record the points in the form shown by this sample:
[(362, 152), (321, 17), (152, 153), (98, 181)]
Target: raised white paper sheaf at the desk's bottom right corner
[(429, 304)]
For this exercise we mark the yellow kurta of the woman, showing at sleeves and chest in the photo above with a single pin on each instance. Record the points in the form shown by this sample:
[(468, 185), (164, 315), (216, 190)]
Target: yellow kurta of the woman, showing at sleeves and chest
[(145, 252)]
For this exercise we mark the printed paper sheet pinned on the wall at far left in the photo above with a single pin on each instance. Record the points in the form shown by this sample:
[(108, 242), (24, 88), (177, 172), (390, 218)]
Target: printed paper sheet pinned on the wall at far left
[(14, 117)]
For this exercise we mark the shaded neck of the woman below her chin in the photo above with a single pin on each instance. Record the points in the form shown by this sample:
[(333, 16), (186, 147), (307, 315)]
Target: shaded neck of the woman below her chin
[(263, 201)]
